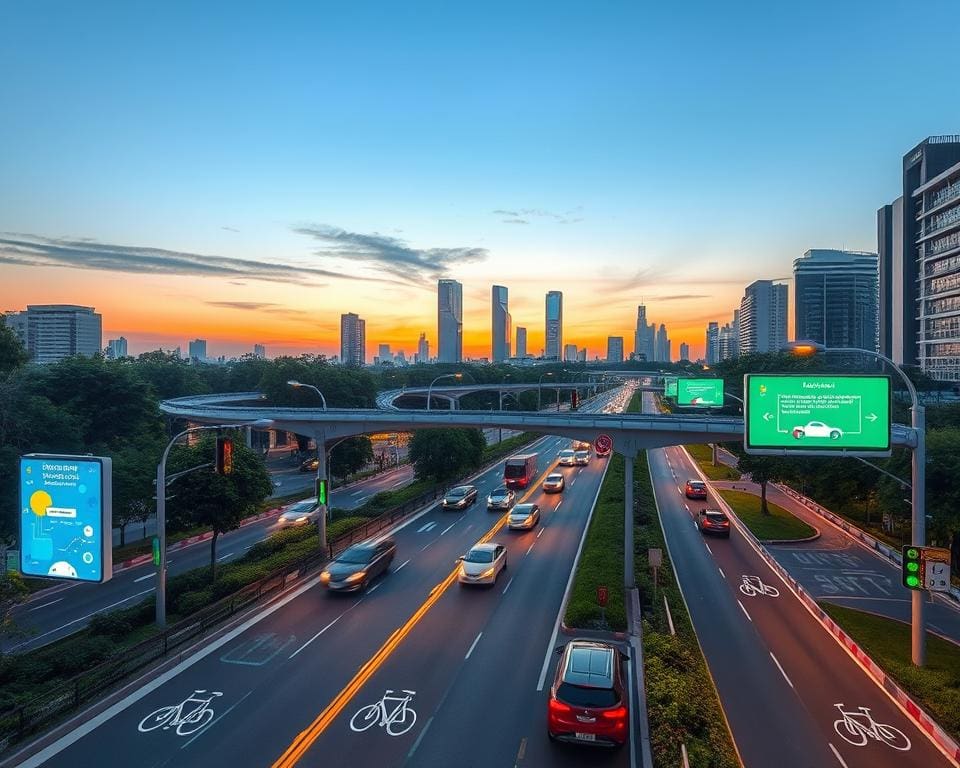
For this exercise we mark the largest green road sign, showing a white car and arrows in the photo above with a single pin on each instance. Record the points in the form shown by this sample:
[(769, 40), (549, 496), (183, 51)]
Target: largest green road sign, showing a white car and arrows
[(816, 415)]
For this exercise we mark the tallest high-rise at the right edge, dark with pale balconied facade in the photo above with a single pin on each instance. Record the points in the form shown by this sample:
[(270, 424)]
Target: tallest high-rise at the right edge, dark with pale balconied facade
[(918, 240)]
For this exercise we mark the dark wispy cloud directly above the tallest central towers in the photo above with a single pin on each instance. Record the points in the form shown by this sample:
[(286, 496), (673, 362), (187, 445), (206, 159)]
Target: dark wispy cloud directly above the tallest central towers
[(389, 255)]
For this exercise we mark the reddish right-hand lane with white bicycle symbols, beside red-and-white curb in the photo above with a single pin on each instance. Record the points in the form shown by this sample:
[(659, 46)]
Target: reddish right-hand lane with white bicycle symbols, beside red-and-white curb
[(817, 669)]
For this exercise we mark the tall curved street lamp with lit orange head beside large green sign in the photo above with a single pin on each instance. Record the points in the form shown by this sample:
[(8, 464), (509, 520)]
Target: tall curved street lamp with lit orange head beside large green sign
[(918, 635)]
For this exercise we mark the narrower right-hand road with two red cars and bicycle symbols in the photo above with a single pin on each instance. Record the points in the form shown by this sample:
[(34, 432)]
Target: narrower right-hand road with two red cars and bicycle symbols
[(780, 676)]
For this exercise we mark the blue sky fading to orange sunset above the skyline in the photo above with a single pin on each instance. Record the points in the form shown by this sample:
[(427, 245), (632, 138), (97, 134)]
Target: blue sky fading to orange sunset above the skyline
[(246, 172)]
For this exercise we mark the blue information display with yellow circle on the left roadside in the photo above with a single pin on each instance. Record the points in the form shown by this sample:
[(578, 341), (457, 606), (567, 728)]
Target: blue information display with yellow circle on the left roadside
[(66, 521)]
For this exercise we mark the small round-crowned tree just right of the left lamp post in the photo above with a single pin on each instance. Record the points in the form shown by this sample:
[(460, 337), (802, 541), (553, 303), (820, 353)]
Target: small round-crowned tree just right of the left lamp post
[(217, 502)]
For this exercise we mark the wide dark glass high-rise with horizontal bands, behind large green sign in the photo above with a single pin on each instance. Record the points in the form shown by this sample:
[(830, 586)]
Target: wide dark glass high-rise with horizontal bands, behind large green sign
[(837, 298)]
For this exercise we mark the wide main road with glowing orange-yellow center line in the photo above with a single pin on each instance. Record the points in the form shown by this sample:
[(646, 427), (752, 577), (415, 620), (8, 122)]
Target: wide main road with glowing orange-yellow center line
[(475, 659)]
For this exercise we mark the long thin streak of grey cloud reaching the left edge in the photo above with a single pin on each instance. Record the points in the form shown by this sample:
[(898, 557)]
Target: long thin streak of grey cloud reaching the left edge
[(36, 251)]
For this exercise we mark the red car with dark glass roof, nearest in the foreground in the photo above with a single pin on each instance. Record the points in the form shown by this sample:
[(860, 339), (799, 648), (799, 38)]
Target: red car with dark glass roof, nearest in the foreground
[(588, 700)]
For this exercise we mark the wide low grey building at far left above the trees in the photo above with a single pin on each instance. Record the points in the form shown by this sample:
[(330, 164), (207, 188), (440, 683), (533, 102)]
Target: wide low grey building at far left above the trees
[(51, 332)]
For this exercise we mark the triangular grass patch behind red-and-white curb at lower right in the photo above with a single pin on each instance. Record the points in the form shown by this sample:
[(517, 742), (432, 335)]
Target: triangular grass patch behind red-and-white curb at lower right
[(935, 687)]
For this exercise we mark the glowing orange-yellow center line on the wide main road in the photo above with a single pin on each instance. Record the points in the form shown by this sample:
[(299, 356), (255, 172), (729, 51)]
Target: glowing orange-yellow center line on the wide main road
[(311, 733)]
